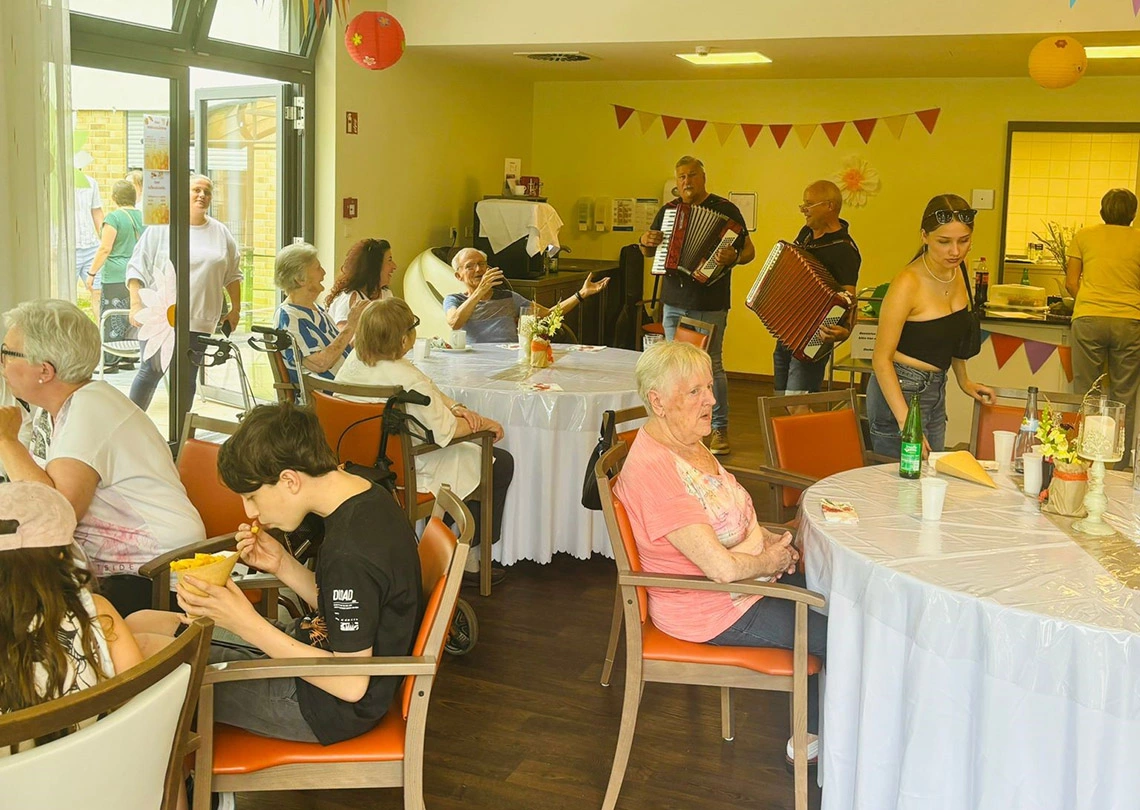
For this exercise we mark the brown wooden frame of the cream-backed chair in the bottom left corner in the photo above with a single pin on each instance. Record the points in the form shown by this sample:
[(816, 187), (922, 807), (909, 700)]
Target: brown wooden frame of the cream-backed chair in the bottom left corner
[(192, 648)]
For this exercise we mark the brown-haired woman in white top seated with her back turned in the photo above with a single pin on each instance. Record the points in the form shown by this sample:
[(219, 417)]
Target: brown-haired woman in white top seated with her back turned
[(385, 337)]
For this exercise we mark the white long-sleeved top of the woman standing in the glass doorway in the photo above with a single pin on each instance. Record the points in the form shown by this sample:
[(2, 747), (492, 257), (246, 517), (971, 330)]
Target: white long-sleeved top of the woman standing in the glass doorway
[(214, 265)]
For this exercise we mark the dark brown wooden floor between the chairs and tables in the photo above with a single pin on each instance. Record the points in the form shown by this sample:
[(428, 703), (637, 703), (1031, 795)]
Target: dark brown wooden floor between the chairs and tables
[(523, 722)]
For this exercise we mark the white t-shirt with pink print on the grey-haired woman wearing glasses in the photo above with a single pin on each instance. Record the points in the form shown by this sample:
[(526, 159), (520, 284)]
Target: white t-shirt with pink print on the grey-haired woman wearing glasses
[(141, 510)]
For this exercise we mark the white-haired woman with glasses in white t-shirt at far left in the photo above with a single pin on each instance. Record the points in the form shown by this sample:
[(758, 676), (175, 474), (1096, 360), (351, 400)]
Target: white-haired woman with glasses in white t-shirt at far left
[(89, 443)]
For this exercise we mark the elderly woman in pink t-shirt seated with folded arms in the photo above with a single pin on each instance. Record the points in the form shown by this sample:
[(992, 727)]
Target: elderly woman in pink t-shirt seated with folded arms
[(691, 517)]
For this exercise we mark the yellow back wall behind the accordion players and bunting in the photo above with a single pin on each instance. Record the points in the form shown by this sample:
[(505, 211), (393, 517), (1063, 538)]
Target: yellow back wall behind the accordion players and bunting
[(580, 152)]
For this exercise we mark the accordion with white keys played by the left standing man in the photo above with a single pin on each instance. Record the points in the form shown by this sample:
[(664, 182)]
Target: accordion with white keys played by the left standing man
[(693, 236)]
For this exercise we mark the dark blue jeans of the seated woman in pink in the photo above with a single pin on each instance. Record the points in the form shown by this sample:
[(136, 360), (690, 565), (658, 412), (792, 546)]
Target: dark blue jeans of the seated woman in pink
[(771, 623)]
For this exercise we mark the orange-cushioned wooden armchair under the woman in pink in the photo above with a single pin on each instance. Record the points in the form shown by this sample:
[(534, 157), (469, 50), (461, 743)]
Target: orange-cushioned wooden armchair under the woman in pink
[(654, 657)]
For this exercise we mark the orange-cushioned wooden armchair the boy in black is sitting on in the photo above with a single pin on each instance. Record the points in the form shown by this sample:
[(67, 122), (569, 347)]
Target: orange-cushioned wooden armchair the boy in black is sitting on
[(389, 756)]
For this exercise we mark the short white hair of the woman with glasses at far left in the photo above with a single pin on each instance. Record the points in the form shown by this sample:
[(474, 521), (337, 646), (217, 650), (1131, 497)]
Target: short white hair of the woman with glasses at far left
[(58, 332)]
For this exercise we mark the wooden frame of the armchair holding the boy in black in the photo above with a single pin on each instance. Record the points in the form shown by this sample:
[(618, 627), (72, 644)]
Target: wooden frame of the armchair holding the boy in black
[(297, 776)]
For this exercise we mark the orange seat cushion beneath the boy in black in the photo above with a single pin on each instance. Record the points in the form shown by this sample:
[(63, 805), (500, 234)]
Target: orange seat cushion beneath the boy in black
[(238, 751)]
